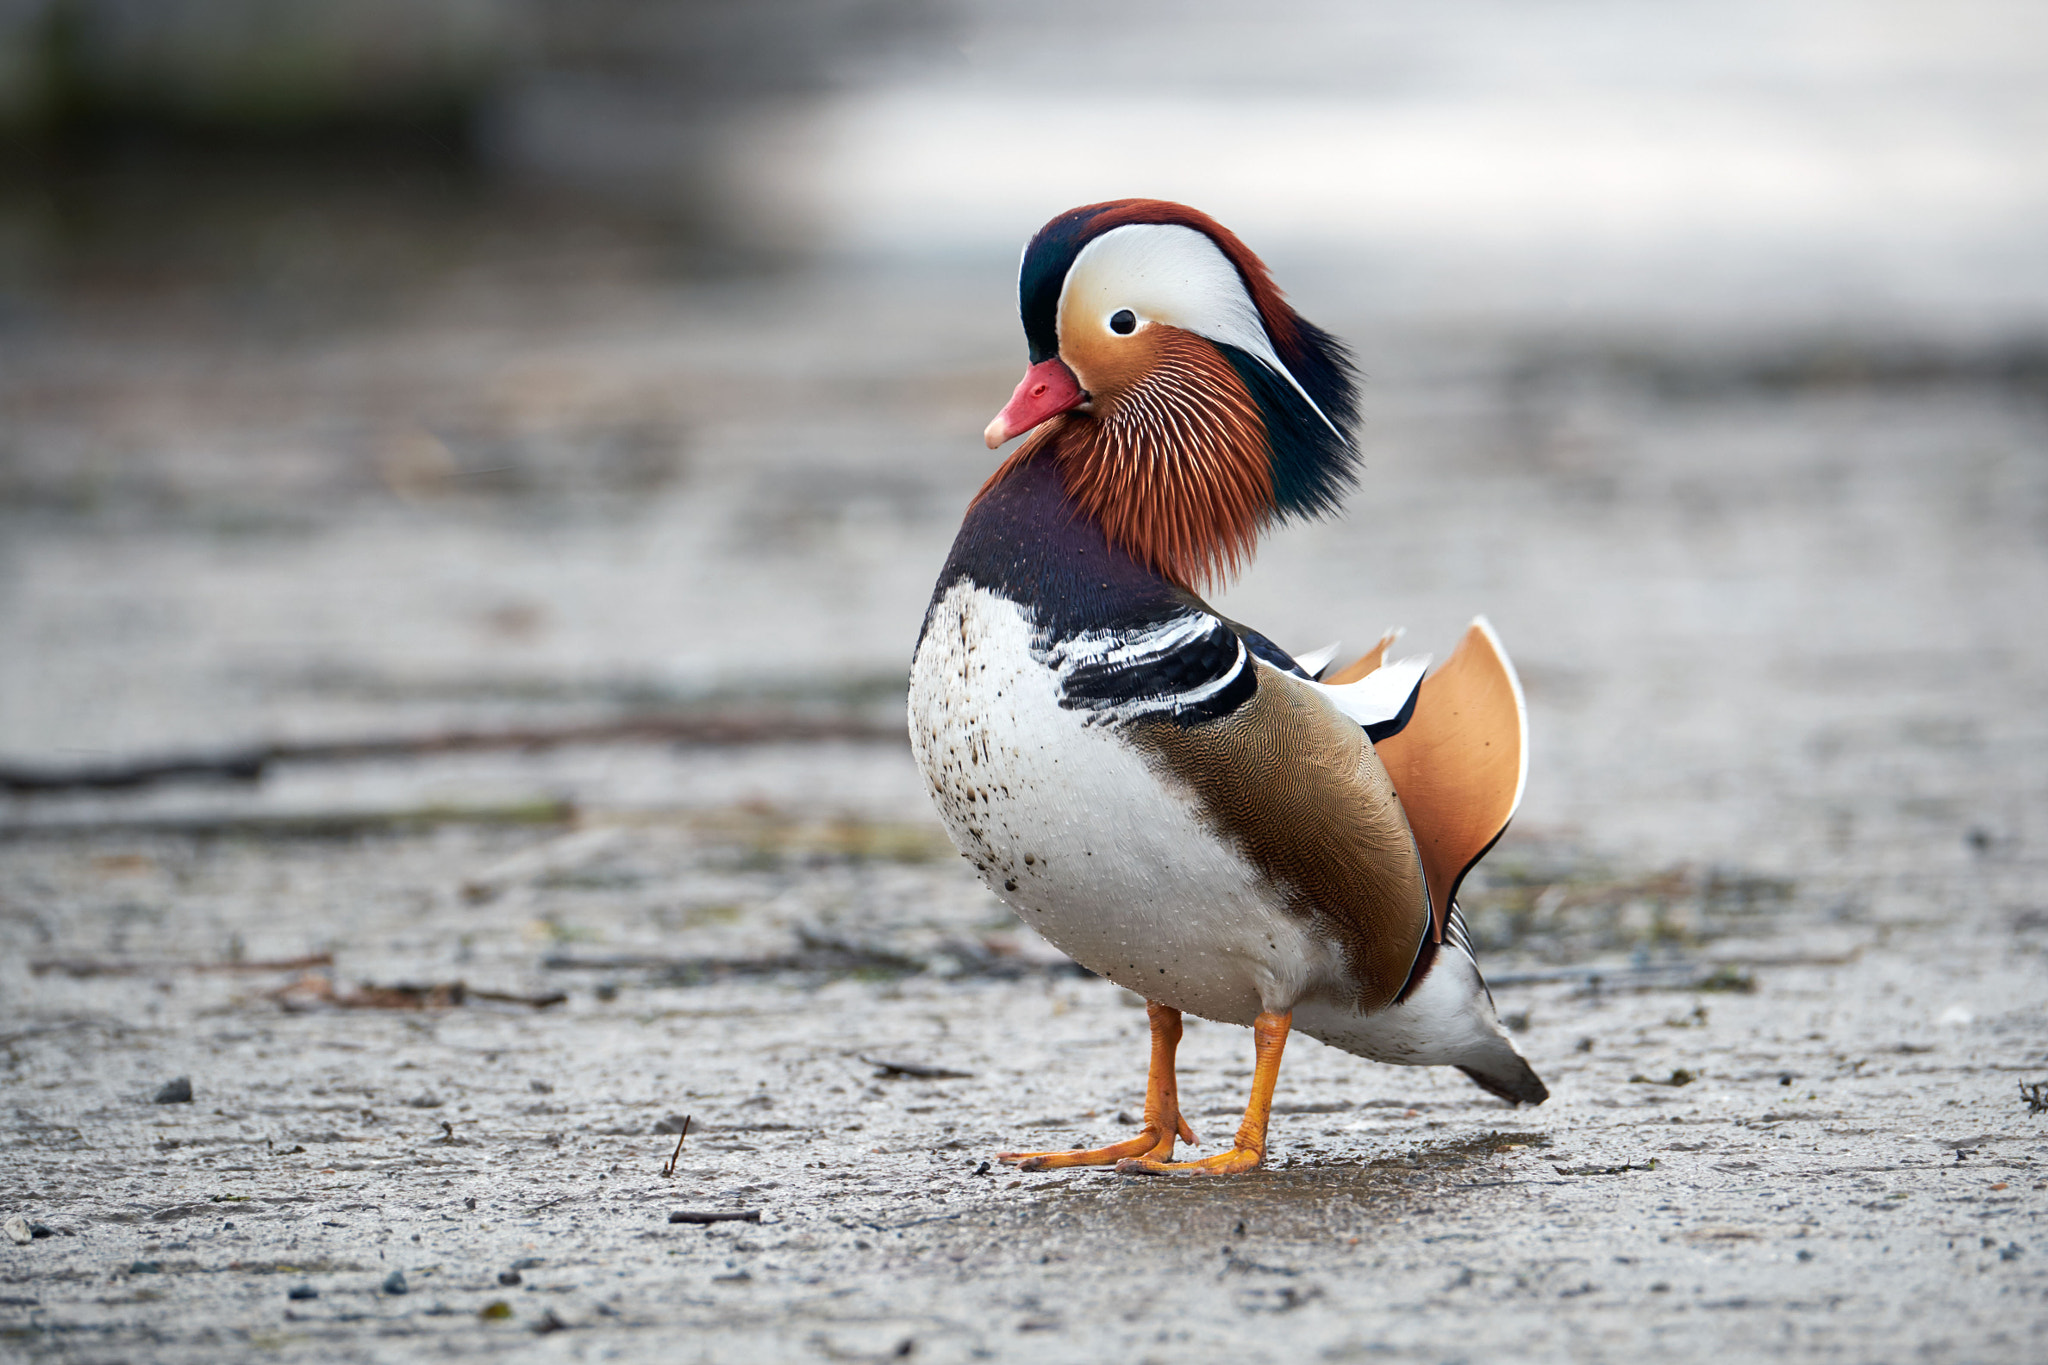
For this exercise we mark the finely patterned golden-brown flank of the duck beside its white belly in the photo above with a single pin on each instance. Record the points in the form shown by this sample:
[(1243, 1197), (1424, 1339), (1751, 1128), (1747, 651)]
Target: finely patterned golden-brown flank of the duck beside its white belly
[(1295, 787)]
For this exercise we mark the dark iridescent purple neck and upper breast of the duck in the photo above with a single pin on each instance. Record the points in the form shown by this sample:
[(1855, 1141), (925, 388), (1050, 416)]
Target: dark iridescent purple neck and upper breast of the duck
[(1027, 539)]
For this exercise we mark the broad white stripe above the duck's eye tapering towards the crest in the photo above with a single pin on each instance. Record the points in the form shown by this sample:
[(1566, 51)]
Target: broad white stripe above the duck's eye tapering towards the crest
[(1181, 277)]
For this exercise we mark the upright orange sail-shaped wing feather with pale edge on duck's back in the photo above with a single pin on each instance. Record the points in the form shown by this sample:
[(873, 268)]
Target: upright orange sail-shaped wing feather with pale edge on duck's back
[(1459, 762)]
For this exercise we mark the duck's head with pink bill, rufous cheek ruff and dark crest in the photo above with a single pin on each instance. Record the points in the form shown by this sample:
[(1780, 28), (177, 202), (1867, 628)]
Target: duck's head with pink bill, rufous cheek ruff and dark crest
[(1185, 402)]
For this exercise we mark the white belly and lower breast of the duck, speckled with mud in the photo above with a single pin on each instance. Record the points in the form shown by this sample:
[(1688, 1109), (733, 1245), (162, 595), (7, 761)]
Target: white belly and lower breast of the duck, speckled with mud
[(1091, 846)]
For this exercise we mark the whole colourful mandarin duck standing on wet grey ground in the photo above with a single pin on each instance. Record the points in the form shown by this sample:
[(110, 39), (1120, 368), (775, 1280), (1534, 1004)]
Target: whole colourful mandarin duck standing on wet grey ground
[(1164, 793)]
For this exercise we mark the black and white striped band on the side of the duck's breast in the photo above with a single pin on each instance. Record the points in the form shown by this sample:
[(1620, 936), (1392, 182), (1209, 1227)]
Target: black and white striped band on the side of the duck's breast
[(1187, 668)]
